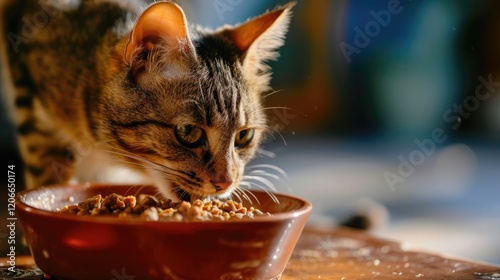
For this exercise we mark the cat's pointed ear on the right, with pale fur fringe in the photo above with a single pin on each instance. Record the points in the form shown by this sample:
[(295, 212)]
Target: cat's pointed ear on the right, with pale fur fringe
[(259, 38)]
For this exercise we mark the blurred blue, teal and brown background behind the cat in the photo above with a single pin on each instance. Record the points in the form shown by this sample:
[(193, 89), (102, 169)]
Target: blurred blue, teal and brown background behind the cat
[(395, 103)]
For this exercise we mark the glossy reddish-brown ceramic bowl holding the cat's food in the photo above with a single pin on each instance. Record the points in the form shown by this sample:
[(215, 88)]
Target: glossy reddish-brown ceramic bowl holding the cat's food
[(82, 247)]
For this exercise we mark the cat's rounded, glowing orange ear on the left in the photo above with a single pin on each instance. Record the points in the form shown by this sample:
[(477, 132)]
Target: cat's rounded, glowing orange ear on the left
[(163, 25)]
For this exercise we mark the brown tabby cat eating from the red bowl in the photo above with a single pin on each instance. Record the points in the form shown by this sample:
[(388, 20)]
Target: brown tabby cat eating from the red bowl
[(128, 92)]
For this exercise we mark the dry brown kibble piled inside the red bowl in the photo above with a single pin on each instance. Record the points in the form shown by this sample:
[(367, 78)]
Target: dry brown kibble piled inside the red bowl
[(151, 208)]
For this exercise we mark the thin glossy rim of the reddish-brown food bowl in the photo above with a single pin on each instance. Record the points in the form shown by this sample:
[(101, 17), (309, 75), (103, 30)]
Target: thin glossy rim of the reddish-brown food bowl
[(305, 209)]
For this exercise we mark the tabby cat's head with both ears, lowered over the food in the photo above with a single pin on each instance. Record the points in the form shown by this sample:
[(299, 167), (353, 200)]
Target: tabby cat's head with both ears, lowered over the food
[(185, 108)]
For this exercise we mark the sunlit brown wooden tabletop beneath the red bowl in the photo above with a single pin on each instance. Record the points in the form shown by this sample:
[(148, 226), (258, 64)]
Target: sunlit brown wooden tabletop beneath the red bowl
[(346, 254)]
